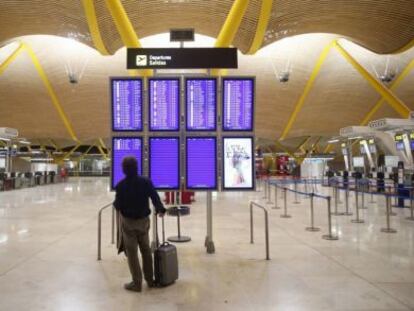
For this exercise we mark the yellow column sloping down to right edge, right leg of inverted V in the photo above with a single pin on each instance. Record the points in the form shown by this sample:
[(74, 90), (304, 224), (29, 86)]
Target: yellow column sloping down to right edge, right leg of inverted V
[(388, 95)]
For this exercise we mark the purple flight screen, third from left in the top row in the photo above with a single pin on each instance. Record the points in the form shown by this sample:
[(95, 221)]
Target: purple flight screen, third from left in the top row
[(201, 104)]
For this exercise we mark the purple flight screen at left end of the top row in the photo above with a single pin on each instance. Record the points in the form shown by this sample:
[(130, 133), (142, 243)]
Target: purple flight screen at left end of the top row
[(126, 104)]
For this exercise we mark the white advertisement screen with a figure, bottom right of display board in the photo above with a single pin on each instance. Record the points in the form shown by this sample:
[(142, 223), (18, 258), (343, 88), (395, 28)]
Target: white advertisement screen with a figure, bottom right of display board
[(238, 169)]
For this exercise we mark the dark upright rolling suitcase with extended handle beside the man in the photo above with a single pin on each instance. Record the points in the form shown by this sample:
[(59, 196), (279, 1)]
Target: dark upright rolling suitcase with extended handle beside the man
[(165, 260)]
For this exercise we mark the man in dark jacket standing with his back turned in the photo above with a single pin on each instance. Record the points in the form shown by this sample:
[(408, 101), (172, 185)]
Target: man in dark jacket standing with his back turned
[(131, 200)]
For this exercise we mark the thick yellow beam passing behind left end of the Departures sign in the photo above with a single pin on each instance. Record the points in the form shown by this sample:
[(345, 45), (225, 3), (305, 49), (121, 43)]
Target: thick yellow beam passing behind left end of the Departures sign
[(125, 30)]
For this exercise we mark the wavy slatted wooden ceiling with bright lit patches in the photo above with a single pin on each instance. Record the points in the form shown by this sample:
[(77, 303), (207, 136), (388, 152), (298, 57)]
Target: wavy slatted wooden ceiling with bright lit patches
[(340, 97)]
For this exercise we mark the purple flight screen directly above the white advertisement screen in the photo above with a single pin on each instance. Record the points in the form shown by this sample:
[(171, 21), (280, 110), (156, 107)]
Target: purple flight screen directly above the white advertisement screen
[(238, 102)]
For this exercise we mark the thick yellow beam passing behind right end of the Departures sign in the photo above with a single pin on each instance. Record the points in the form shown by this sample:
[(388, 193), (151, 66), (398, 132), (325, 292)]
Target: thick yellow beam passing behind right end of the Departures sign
[(230, 27)]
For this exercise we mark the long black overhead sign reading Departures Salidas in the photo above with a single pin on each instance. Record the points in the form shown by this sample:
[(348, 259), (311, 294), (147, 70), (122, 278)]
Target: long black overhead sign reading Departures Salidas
[(181, 58)]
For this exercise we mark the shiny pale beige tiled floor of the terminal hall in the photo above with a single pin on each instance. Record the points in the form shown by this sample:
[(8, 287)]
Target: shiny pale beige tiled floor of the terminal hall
[(48, 256)]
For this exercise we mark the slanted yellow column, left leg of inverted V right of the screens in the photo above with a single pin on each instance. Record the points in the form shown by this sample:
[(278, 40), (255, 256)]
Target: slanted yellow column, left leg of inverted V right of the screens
[(308, 87)]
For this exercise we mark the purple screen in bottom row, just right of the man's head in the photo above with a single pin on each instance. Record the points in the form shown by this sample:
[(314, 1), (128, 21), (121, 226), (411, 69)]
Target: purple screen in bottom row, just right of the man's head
[(164, 162)]
